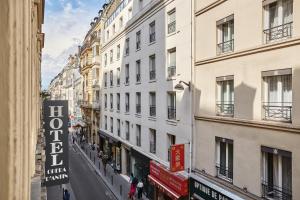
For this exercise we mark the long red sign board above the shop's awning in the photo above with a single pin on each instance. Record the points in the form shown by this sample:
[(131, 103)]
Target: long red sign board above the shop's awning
[(174, 181)]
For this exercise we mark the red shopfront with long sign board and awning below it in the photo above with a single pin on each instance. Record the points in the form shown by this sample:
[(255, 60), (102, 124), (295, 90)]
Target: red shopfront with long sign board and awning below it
[(167, 185)]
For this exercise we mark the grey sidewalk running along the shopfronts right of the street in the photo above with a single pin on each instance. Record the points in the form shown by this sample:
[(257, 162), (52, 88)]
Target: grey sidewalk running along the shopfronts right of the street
[(118, 183)]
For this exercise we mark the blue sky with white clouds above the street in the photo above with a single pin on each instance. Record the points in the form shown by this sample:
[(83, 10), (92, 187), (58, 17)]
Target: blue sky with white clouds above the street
[(65, 25)]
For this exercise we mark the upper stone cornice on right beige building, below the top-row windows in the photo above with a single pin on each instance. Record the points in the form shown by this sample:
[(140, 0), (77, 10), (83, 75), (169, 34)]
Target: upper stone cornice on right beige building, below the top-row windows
[(255, 50)]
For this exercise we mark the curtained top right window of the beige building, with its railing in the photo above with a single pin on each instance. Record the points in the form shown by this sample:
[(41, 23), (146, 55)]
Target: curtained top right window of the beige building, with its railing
[(278, 22)]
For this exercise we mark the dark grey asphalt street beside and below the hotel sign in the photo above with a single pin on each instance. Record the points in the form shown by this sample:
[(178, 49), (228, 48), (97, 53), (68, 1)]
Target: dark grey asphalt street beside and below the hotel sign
[(85, 183)]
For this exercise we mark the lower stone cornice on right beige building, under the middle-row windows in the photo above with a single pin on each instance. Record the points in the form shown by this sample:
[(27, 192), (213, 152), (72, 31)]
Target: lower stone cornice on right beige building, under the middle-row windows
[(251, 123)]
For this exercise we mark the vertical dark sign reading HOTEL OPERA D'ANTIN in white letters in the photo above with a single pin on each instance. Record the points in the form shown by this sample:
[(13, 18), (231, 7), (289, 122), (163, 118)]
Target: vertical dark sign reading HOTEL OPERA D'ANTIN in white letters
[(56, 135)]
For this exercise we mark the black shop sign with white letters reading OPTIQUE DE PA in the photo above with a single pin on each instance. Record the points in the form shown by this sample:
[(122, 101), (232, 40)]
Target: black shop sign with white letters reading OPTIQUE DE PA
[(198, 189)]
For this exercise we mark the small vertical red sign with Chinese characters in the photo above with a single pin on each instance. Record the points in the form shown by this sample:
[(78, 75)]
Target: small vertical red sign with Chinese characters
[(177, 158)]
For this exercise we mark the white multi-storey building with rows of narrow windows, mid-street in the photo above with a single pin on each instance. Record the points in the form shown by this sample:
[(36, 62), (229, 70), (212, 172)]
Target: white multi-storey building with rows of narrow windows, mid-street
[(146, 51)]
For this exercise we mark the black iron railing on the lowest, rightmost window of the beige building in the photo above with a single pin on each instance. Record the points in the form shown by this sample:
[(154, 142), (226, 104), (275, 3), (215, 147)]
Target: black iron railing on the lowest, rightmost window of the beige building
[(271, 191)]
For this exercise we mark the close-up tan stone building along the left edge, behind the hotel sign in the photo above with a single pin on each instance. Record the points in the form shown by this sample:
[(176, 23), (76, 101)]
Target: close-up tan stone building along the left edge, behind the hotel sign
[(21, 41)]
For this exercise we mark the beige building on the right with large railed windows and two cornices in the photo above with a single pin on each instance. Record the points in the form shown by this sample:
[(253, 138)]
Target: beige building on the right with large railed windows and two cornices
[(246, 96)]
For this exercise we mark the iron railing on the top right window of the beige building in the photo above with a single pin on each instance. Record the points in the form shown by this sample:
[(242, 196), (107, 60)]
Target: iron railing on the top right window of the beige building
[(279, 32)]
